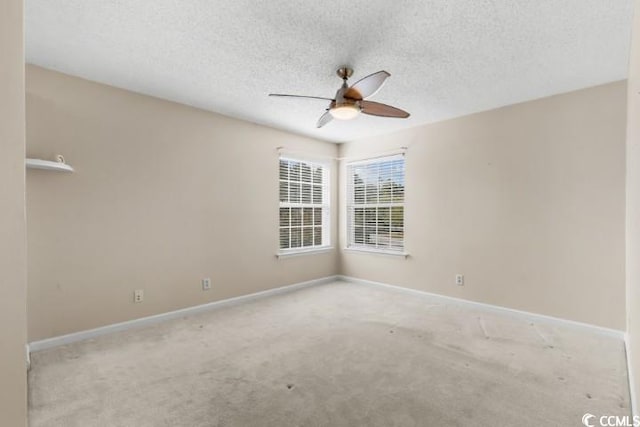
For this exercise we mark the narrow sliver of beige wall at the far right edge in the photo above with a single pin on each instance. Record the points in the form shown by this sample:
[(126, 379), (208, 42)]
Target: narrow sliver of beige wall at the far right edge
[(633, 208)]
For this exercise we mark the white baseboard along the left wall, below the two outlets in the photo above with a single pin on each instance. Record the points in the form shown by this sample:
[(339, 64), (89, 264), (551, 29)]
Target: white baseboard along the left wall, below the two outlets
[(150, 320)]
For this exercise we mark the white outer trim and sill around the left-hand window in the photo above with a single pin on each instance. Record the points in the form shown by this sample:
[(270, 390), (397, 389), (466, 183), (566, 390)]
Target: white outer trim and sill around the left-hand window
[(326, 209)]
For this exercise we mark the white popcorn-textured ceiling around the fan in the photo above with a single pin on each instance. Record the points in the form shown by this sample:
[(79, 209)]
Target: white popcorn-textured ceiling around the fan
[(447, 58)]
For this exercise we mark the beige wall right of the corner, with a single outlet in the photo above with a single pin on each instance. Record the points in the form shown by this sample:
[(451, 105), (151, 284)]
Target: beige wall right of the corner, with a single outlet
[(526, 201)]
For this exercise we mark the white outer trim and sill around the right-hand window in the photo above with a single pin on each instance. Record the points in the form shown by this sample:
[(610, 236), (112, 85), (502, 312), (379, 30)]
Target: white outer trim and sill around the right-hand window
[(400, 252)]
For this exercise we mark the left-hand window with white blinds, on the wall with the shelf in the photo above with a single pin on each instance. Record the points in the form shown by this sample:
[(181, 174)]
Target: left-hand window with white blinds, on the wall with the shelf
[(304, 205)]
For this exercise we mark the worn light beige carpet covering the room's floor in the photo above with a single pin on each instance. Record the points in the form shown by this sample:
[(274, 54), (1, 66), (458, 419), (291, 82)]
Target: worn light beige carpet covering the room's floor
[(334, 355)]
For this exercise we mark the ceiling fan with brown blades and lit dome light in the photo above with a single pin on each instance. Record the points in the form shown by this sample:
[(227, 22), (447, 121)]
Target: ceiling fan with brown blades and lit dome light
[(350, 101)]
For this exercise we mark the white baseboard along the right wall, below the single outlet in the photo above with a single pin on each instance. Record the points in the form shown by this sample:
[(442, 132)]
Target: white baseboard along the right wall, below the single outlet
[(494, 308)]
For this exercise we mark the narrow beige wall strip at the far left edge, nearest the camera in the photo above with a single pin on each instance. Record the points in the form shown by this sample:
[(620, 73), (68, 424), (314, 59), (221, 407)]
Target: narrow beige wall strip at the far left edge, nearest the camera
[(13, 322)]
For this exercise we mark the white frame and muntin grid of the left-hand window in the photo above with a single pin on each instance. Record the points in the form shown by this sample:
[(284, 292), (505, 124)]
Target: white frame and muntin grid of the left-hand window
[(324, 205)]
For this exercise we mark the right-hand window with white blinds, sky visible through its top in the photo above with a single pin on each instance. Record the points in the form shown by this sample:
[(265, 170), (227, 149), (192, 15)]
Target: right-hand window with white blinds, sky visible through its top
[(375, 204)]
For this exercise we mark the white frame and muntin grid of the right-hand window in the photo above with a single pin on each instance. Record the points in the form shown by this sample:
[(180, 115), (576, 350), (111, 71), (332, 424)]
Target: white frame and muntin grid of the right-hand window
[(399, 248)]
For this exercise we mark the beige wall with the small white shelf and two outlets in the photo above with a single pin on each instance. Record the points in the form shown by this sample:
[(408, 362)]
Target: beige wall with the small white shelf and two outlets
[(163, 195)]
